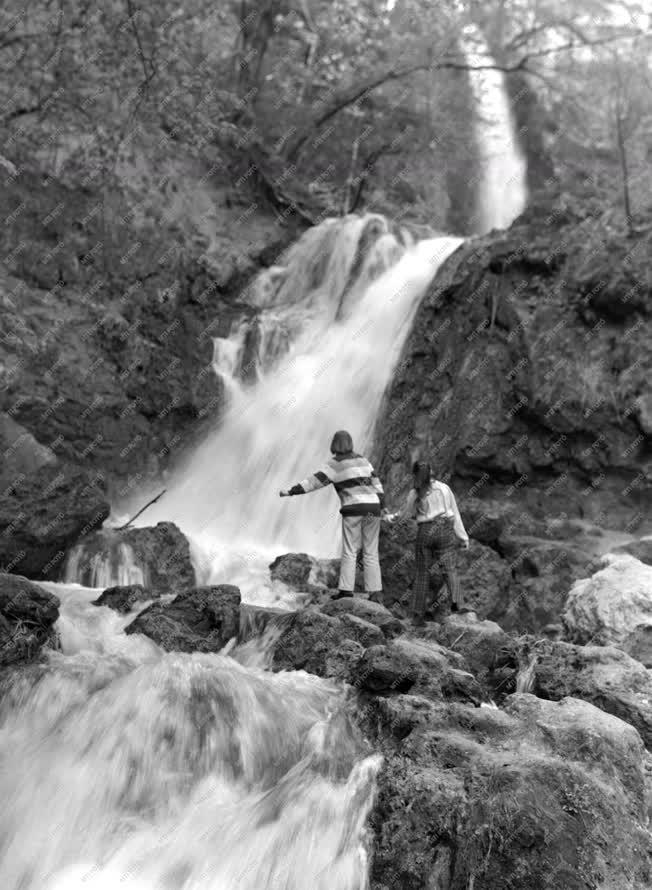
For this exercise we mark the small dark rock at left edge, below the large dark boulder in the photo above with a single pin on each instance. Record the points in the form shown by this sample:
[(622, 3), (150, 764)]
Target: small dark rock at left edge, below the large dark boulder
[(27, 617)]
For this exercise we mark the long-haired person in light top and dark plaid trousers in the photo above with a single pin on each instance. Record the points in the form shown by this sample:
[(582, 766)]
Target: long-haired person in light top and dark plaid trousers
[(440, 532)]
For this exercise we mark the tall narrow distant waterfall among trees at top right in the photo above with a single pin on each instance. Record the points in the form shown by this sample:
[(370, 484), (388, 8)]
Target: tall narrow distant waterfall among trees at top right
[(502, 190)]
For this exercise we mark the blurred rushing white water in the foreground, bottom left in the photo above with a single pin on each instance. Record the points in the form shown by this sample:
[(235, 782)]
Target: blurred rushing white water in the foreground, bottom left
[(126, 767)]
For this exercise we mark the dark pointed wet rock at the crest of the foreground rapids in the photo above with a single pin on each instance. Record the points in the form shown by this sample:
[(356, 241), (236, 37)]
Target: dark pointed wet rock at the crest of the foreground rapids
[(200, 620)]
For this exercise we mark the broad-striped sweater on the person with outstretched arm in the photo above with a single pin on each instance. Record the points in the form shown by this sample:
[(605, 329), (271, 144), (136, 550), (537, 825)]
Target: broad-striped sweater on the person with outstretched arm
[(355, 481)]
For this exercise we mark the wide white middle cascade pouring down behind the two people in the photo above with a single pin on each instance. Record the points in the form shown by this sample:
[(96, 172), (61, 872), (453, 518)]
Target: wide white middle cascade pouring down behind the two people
[(345, 300)]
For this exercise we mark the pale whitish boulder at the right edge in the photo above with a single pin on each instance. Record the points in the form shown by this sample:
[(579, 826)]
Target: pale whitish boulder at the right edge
[(614, 607)]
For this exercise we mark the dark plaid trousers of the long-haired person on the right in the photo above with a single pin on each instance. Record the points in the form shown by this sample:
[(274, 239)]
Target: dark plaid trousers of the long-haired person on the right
[(436, 543)]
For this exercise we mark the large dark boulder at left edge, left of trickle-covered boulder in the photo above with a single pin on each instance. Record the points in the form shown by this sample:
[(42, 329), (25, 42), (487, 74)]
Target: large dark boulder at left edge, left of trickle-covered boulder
[(44, 512)]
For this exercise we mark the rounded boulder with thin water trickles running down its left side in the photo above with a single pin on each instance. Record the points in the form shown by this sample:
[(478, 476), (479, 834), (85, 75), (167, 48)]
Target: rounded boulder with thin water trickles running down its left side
[(156, 557)]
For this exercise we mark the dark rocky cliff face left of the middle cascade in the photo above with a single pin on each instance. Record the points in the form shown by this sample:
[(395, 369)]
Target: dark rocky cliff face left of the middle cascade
[(106, 339)]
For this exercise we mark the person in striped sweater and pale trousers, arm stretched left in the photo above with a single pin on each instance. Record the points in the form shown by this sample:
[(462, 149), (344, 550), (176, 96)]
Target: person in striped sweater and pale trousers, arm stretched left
[(363, 499)]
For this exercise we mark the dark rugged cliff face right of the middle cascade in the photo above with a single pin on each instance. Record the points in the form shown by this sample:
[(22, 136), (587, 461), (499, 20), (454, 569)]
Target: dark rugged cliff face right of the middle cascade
[(526, 375)]
